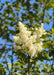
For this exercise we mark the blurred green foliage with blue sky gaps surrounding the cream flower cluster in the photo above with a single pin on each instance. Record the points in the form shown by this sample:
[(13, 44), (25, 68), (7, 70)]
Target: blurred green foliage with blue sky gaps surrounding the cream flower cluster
[(32, 13)]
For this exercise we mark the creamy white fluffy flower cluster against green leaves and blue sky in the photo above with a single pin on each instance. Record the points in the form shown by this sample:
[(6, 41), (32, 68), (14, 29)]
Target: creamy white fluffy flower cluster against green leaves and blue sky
[(28, 41)]
